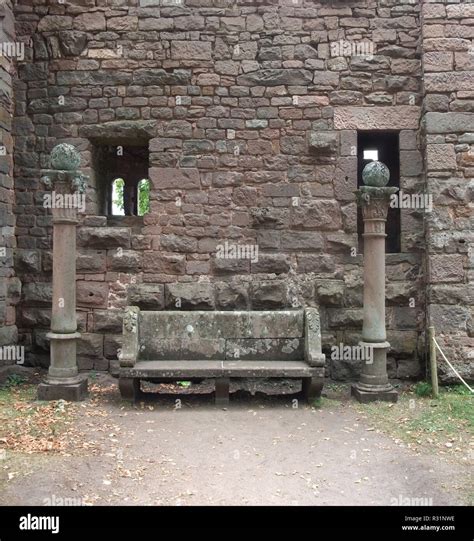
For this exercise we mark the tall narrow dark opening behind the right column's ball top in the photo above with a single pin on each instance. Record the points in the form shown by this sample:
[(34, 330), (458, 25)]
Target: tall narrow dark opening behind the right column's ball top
[(384, 147)]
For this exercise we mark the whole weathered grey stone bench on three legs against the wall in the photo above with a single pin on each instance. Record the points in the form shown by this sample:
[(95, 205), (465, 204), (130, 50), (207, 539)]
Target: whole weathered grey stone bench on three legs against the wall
[(179, 345)]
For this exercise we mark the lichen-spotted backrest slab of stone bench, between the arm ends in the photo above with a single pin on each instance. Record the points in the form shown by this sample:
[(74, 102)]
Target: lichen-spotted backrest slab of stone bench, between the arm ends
[(197, 335)]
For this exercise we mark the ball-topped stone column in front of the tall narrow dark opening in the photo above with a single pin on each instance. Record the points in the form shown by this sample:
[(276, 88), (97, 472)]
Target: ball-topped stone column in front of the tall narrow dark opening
[(374, 199)]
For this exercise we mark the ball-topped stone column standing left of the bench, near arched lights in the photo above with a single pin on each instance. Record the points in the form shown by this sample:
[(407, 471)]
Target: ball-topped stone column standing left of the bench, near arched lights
[(68, 187)]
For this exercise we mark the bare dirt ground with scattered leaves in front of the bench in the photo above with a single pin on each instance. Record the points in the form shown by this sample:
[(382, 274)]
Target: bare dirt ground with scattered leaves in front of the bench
[(261, 450)]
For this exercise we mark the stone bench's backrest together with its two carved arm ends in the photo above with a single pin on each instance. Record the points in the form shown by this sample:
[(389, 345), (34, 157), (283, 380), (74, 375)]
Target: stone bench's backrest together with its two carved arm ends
[(231, 335)]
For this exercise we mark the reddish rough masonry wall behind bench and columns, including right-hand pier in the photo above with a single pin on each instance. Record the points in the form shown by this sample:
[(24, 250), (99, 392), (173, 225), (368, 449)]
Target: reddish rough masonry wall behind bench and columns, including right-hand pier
[(193, 82)]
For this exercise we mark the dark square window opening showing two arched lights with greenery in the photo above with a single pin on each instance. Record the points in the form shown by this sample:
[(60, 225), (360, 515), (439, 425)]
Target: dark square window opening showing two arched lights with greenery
[(123, 188)]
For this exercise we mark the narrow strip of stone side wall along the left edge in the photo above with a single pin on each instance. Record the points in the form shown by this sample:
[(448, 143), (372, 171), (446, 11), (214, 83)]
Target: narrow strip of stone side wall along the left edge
[(9, 285)]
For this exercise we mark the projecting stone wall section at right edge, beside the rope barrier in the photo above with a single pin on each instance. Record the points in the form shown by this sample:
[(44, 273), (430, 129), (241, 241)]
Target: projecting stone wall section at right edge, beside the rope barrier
[(448, 64)]
